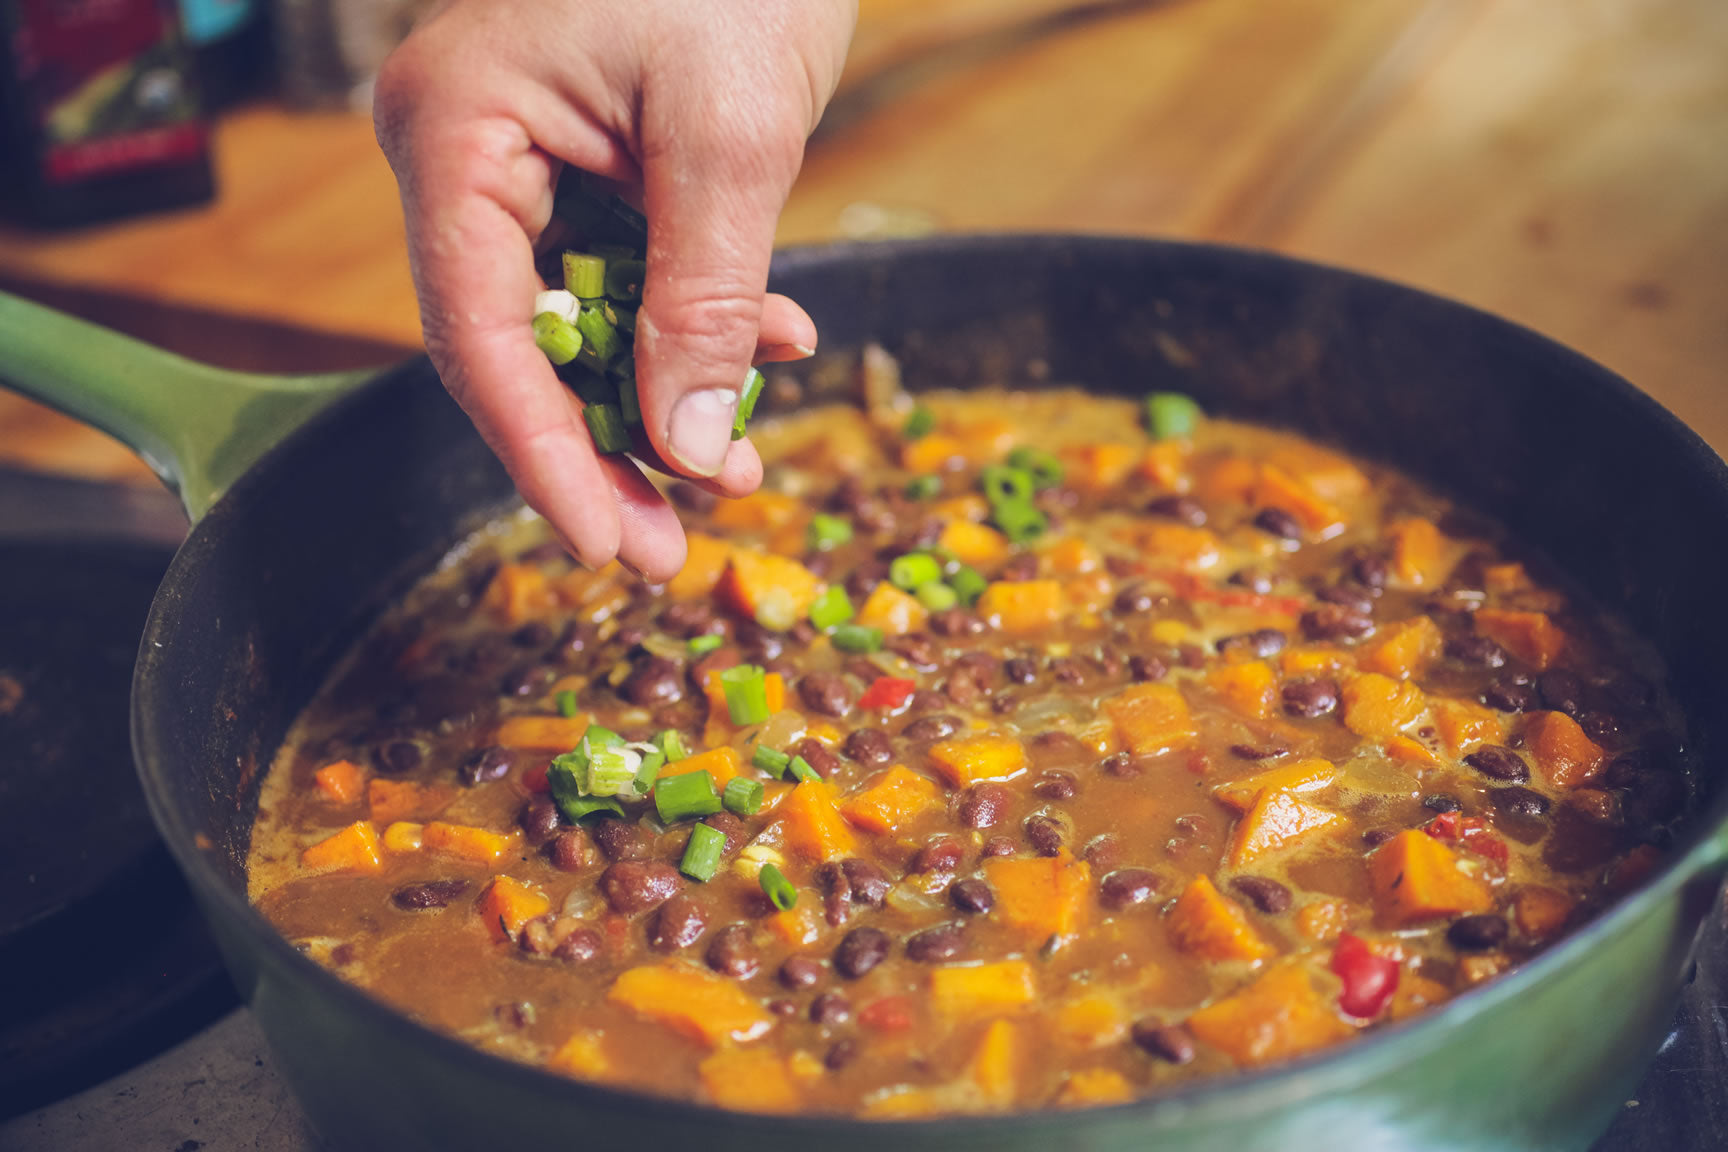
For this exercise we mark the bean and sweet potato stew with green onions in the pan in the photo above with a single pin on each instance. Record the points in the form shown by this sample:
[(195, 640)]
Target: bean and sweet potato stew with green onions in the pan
[(1005, 752)]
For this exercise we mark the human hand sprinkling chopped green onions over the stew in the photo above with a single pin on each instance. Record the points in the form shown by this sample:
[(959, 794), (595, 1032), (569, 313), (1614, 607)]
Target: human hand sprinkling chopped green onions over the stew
[(699, 106)]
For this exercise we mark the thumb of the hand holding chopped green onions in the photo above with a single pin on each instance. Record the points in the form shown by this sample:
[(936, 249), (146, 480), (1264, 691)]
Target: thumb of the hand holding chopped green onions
[(715, 187)]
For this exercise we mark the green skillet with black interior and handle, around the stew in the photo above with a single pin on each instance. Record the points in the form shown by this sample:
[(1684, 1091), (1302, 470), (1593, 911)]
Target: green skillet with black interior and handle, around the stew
[(288, 567)]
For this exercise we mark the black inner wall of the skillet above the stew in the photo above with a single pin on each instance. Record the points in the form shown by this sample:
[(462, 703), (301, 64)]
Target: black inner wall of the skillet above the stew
[(286, 573)]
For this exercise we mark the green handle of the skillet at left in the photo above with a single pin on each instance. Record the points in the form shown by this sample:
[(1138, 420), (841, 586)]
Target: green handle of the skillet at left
[(198, 427)]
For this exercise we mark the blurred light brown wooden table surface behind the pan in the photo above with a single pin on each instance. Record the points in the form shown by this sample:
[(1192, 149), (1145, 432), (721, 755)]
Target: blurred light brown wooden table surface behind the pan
[(1558, 161)]
